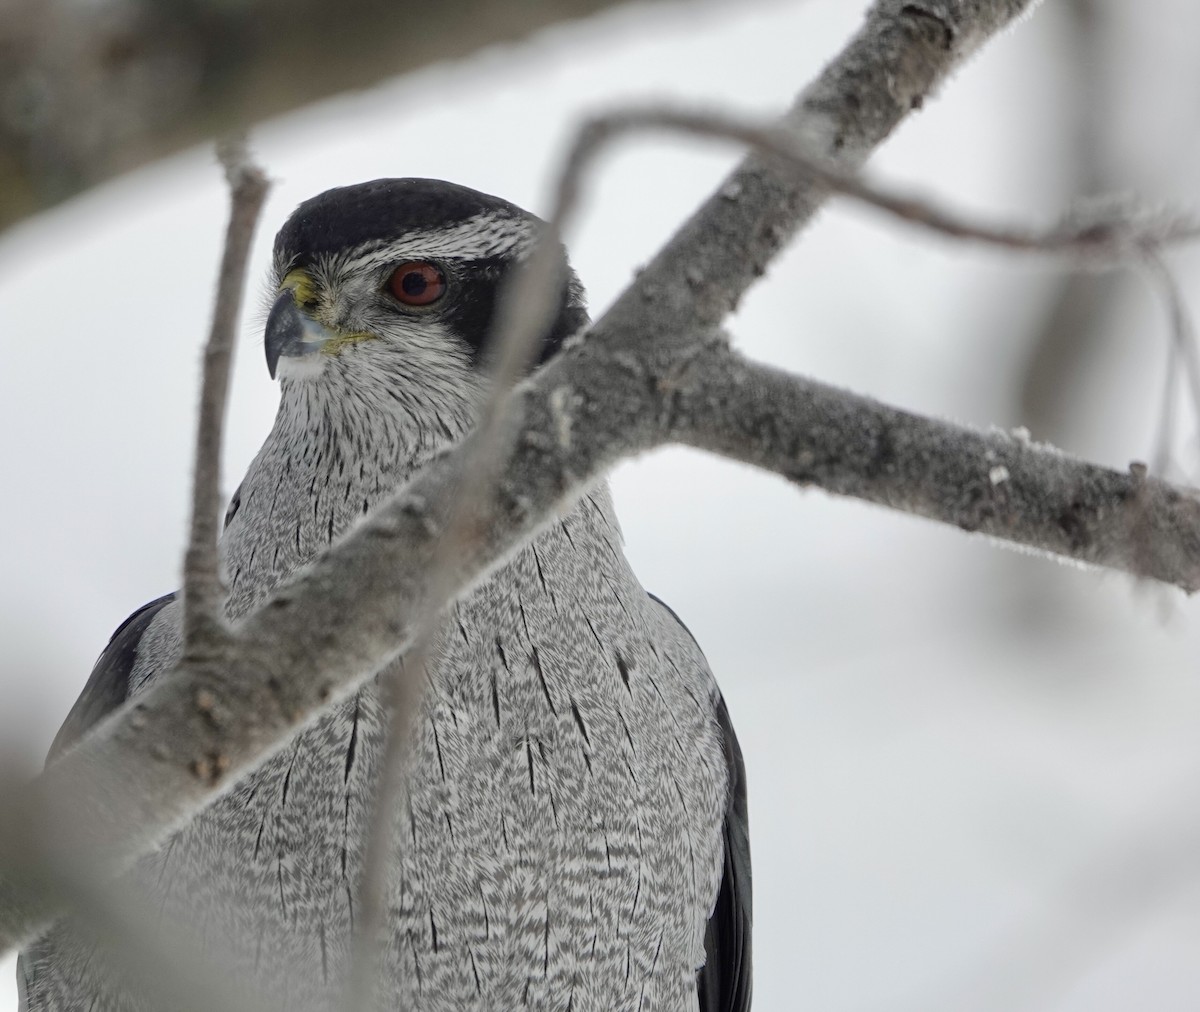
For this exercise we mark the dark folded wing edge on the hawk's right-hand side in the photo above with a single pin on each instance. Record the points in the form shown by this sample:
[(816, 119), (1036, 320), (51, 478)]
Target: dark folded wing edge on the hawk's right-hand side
[(724, 981)]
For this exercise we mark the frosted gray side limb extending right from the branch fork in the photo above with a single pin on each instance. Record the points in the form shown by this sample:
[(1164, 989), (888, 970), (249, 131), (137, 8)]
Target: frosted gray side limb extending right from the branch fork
[(992, 483)]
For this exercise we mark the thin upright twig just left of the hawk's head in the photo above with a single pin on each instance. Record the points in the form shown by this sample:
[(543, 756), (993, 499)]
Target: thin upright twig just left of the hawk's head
[(203, 590)]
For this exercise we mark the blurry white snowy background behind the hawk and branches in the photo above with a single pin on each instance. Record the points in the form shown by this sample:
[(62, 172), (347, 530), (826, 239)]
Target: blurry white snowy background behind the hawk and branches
[(974, 774)]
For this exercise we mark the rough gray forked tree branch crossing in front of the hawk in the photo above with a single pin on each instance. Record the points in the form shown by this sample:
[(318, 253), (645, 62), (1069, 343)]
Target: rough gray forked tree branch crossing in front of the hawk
[(655, 369)]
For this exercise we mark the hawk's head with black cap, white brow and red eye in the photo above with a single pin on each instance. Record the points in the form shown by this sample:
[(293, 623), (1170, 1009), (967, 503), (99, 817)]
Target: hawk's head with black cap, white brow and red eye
[(398, 282)]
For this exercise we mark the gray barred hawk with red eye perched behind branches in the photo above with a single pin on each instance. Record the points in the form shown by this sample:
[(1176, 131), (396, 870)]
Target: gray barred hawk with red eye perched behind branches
[(573, 829)]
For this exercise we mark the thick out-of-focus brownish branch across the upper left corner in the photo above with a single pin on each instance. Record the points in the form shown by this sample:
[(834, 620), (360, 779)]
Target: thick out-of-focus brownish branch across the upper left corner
[(92, 91)]
